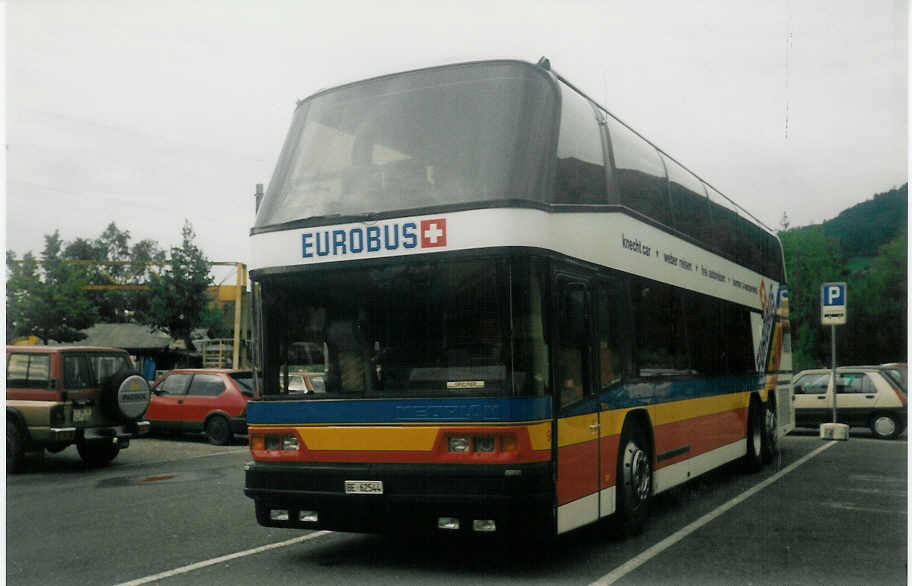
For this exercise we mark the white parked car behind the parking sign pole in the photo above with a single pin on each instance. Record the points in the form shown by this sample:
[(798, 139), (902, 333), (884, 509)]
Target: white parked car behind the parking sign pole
[(866, 396)]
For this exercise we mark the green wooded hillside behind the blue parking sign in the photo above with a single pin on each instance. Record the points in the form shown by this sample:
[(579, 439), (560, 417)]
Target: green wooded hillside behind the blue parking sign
[(865, 246)]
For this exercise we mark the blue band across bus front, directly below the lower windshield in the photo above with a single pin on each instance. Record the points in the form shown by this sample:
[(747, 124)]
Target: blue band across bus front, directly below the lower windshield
[(399, 410)]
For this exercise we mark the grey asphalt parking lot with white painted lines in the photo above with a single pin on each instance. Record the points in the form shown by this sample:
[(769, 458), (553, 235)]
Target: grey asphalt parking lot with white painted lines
[(172, 511)]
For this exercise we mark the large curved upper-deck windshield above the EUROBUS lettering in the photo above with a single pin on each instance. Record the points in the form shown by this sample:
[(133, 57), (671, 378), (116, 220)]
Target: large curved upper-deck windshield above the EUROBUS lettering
[(448, 135)]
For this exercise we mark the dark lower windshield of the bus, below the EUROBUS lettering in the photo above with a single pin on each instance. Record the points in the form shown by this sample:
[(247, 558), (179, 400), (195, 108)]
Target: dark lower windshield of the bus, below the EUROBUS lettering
[(427, 329)]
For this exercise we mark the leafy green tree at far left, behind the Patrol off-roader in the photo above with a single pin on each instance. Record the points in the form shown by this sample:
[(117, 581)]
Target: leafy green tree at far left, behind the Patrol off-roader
[(47, 299)]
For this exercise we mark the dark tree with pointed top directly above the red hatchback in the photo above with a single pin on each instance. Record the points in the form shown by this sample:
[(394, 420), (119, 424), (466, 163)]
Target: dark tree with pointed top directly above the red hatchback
[(178, 299)]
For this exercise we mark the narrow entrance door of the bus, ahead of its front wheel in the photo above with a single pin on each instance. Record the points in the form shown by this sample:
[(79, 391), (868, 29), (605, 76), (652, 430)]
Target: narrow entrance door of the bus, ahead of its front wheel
[(578, 417)]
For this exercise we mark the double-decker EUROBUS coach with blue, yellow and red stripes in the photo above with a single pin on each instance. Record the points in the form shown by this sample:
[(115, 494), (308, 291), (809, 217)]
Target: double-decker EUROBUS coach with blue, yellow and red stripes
[(519, 313)]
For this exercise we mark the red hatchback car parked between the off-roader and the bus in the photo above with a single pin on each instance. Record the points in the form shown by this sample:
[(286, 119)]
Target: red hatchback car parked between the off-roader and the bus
[(213, 400)]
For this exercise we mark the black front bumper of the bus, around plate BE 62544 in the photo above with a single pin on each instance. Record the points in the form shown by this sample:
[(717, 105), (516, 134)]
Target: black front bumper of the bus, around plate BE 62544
[(415, 498)]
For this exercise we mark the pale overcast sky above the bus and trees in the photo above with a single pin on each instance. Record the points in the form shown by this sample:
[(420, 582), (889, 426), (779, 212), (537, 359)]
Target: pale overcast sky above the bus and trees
[(147, 113)]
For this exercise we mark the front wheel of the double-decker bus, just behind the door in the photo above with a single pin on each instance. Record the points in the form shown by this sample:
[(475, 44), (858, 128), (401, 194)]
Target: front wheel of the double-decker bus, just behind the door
[(634, 474)]
